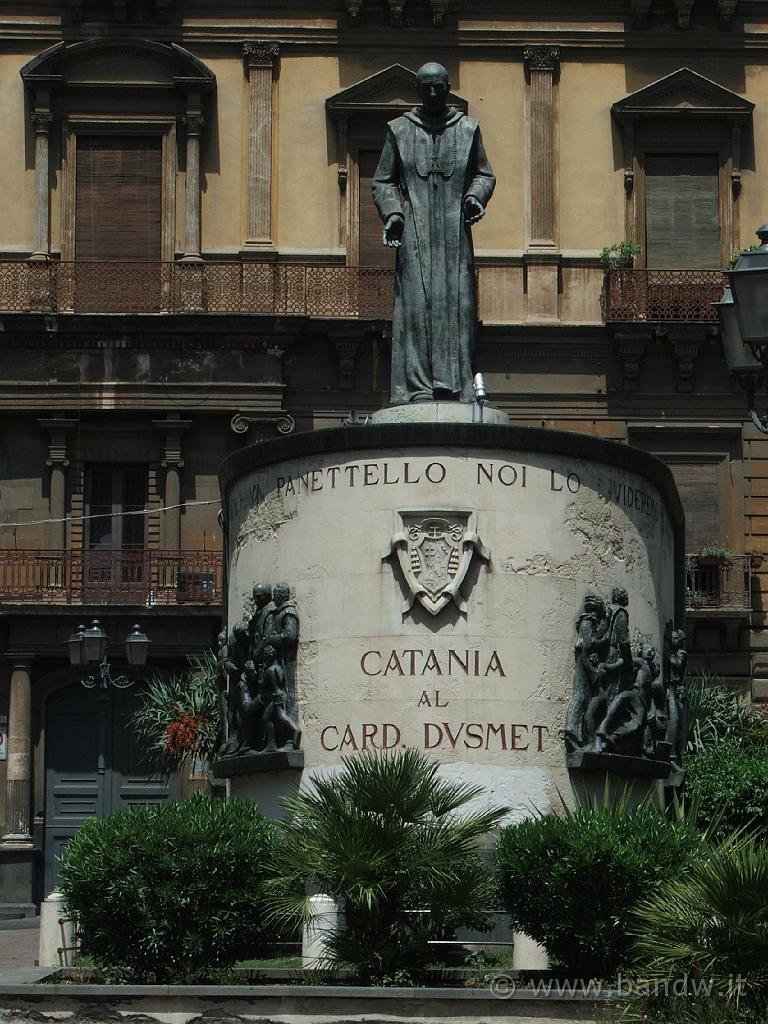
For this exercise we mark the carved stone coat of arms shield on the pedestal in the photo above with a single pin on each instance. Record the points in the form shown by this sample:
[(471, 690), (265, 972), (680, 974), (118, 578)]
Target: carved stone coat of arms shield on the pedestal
[(435, 551)]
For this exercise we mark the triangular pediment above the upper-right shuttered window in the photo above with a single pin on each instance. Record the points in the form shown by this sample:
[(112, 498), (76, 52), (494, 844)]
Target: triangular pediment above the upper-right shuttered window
[(684, 92)]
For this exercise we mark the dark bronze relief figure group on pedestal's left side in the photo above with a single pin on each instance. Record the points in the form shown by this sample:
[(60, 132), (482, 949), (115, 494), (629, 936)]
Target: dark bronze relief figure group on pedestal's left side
[(258, 677)]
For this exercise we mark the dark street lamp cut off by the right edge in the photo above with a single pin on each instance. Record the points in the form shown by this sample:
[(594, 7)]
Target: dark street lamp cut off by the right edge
[(744, 323)]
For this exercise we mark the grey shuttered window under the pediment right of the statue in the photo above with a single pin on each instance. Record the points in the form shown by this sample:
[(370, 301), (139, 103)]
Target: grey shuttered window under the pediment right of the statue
[(682, 215)]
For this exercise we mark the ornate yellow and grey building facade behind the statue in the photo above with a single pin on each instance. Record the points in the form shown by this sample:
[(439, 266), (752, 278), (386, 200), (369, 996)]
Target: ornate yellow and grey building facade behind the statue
[(191, 261)]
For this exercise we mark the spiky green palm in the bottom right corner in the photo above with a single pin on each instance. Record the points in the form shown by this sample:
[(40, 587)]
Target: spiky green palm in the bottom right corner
[(710, 927)]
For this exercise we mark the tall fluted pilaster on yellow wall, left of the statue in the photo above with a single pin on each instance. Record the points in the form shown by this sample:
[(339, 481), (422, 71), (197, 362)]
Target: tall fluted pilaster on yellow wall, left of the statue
[(261, 59)]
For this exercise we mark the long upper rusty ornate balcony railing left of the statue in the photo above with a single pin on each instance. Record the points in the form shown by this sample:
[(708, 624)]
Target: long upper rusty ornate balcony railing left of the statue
[(249, 287)]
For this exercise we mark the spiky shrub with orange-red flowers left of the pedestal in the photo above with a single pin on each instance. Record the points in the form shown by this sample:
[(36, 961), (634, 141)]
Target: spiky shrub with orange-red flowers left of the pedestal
[(180, 715)]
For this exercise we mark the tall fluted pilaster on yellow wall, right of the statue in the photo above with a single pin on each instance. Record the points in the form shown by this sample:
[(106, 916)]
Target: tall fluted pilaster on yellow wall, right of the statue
[(542, 259)]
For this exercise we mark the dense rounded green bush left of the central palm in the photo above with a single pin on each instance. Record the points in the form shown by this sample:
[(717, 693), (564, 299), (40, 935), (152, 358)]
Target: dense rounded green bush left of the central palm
[(169, 892)]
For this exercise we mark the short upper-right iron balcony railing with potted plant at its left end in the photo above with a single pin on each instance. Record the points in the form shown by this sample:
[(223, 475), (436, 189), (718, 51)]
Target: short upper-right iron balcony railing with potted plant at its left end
[(663, 295)]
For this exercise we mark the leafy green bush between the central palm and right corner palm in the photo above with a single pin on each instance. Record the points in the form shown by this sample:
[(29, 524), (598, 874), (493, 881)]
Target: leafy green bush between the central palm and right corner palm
[(571, 882)]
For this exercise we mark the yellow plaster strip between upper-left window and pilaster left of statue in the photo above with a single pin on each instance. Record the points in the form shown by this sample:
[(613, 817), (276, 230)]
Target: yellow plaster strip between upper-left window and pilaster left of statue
[(223, 159)]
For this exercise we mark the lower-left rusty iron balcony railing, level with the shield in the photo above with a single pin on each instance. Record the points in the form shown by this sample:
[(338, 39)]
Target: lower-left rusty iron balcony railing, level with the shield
[(112, 578)]
